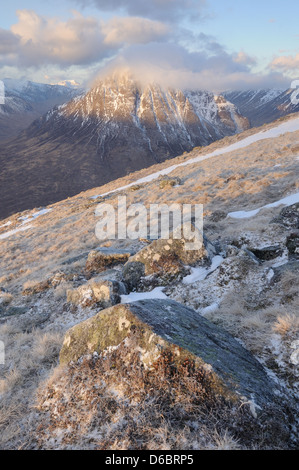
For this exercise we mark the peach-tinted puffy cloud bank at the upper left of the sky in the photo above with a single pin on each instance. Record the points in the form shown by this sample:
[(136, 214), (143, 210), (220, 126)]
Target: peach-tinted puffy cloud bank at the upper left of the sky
[(37, 40)]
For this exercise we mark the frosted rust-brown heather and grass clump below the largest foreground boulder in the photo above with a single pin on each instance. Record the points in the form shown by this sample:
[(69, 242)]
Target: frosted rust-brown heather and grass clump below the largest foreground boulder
[(87, 405)]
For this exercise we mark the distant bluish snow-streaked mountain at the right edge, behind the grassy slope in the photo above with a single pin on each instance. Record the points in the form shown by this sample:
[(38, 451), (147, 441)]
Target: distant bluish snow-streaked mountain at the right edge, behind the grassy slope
[(263, 106)]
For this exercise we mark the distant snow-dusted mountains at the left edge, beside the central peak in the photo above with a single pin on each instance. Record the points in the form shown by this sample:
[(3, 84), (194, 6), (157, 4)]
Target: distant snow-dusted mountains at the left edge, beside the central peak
[(25, 101)]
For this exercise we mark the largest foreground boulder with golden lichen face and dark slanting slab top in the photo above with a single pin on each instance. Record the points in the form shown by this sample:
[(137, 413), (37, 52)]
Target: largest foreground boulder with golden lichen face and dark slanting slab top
[(154, 326)]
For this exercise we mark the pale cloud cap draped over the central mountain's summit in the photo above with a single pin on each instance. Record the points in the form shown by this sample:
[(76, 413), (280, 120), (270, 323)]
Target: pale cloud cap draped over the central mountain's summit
[(172, 65)]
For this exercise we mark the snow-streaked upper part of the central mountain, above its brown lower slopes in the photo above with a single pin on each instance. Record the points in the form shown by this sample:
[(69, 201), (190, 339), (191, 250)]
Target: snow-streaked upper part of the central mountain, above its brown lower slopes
[(117, 113)]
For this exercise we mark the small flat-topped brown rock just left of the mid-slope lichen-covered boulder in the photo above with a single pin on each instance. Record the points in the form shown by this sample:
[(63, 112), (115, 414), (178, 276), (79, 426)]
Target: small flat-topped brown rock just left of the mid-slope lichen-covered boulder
[(98, 260)]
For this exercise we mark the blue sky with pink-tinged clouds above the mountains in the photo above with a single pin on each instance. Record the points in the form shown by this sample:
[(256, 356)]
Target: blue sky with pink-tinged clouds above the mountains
[(207, 44)]
